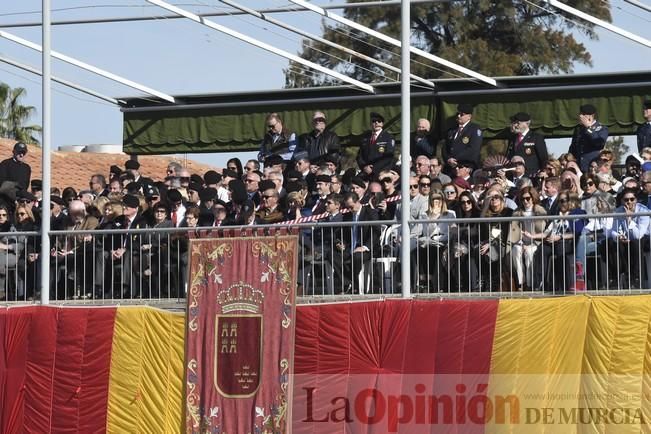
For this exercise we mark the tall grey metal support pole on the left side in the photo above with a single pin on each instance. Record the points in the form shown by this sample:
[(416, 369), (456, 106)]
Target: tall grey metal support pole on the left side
[(46, 161)]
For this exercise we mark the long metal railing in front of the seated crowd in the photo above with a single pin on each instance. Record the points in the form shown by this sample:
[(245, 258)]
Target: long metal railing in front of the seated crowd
[(505, 257)]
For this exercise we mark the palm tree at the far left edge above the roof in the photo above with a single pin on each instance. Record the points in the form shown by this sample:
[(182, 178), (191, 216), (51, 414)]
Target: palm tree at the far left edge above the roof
[(13, 116)]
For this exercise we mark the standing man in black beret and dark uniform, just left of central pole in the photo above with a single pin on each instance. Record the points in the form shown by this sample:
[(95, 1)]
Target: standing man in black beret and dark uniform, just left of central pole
[(377, 149)]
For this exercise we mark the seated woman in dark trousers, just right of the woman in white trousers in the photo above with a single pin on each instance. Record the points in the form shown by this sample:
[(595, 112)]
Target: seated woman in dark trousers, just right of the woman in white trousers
[(557, 252)]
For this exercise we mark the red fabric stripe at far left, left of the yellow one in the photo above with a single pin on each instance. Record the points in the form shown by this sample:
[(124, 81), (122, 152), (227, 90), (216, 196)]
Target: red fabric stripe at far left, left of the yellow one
[(54, 369)]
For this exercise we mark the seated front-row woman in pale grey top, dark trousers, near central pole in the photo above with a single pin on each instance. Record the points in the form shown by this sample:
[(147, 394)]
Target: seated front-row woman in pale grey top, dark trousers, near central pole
[(432, 243)]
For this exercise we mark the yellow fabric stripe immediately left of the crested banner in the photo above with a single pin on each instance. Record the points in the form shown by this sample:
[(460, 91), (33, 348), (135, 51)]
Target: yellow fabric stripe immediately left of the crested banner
[(147, 372)]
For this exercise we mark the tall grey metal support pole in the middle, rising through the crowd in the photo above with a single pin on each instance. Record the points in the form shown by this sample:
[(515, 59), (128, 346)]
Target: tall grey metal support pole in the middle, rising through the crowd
[(405, 216)]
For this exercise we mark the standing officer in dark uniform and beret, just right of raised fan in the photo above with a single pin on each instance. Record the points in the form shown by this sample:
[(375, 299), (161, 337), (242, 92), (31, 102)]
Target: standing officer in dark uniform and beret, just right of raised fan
[(527, 144)]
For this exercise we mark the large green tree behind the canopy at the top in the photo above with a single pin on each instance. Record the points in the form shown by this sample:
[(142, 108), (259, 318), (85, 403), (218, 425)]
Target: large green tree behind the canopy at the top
[(496, 38)]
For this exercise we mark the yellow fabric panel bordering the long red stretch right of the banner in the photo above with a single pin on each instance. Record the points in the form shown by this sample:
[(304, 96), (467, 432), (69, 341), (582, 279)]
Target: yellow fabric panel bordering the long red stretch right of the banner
[(537, 359)]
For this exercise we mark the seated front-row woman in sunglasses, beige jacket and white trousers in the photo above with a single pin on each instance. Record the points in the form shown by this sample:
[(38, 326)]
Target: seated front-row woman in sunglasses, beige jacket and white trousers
[(524, 240)]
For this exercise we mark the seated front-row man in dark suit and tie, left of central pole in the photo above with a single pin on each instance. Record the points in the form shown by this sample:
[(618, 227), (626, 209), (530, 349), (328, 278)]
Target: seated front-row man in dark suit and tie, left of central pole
[(362, 242)]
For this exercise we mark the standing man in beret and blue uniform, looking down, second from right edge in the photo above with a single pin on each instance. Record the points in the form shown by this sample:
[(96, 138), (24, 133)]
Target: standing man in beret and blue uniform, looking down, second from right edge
[(589, 137)]
